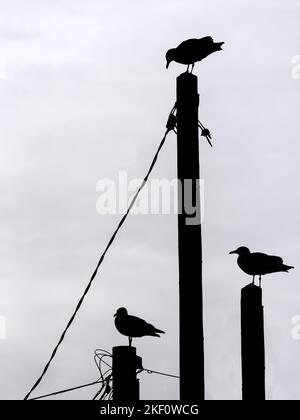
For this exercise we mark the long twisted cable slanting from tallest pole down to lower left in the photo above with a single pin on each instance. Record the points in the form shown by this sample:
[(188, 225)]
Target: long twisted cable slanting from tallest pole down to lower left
[(98, 265)]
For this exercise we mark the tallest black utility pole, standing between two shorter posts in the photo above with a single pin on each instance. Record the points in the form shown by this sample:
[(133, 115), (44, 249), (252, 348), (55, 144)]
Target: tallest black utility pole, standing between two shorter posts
[(189, 239)]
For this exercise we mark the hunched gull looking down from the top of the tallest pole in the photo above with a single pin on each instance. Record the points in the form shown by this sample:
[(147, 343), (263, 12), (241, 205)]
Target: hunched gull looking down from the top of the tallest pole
[(193, 50)]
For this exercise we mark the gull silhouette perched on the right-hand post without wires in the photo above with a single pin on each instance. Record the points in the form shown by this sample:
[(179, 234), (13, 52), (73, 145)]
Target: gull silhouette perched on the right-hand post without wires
[(259, 264)]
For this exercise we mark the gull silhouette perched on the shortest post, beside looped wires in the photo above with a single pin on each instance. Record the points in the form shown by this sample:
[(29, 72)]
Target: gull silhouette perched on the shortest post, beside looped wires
[(132, 326)]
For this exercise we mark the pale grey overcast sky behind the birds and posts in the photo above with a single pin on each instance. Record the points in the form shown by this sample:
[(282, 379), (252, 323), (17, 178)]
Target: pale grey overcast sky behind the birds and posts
[(84, 94)]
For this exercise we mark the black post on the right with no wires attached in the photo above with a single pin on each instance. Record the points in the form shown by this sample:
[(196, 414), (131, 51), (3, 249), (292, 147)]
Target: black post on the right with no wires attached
[(253, 344)]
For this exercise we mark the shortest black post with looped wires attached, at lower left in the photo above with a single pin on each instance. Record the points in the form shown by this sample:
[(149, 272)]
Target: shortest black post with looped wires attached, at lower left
[(124, 368)]
